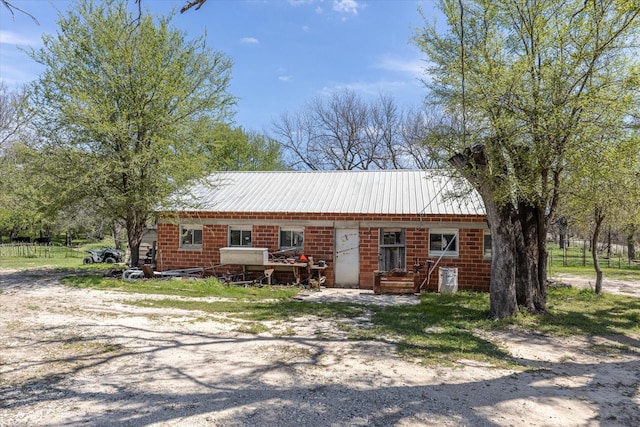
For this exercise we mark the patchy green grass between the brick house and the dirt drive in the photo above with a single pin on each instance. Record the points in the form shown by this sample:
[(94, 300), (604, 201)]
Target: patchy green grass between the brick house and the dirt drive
[(442, 329)]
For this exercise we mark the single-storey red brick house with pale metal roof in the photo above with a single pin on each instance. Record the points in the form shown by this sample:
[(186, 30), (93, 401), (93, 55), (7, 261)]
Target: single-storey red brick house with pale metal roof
[(357, 221)]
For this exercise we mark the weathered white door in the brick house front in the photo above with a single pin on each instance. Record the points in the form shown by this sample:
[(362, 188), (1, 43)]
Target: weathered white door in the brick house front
[(347, 257)]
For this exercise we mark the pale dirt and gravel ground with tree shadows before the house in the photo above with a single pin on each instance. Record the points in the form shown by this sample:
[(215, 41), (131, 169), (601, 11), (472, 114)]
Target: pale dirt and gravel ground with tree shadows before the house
[(83, 357)]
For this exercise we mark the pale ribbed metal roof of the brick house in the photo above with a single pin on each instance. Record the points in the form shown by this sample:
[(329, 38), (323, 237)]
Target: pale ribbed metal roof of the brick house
[(417, 192)]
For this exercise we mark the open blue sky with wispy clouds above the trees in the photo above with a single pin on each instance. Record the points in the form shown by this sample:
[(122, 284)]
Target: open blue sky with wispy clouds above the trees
[(285, 52)]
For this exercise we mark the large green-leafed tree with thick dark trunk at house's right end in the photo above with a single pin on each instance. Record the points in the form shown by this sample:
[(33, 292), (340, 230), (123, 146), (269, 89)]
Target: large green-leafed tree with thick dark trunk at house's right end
[(529, 81)]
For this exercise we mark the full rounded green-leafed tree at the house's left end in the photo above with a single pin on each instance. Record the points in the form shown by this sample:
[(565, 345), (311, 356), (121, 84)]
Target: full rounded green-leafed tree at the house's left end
[(122, 110)]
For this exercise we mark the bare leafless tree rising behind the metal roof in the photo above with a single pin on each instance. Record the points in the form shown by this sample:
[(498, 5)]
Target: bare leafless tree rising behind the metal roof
[(345, 132)]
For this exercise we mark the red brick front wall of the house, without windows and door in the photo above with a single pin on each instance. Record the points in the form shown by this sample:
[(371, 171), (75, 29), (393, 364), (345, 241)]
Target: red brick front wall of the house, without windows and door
[(473, 269)]
